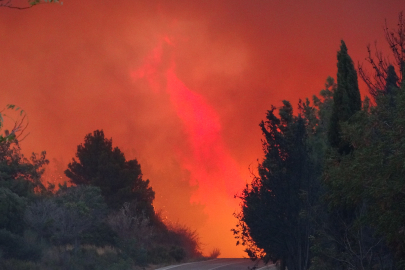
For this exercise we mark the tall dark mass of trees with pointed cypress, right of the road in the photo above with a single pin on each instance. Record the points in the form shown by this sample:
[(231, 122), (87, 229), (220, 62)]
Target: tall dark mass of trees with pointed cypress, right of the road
[(330, 191)]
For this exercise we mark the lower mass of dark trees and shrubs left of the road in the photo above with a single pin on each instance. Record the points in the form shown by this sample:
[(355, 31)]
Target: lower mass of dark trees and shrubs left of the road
[(104, 219)]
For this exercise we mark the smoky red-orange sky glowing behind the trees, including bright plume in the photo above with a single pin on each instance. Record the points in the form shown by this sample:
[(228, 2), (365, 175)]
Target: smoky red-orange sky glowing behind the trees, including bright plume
[(179, 85)]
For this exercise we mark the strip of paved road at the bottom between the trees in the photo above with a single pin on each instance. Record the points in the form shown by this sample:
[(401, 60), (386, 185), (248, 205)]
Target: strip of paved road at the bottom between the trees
[(219, 264)]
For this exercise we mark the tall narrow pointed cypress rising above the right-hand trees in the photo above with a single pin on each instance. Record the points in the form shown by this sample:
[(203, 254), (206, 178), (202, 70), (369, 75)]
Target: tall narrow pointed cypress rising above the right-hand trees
[(346, 98)]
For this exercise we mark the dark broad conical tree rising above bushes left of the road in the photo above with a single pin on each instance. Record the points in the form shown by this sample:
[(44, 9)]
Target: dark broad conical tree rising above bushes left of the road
[(120, 181)]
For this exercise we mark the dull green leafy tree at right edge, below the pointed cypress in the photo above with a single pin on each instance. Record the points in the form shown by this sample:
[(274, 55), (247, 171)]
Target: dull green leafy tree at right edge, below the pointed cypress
[(371, 179)]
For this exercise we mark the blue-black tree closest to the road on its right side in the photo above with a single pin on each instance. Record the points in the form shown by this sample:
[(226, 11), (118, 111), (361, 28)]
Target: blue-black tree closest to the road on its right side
[(276, 206)]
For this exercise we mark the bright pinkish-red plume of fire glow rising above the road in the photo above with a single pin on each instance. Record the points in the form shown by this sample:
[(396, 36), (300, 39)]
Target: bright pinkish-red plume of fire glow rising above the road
[(212, 170)]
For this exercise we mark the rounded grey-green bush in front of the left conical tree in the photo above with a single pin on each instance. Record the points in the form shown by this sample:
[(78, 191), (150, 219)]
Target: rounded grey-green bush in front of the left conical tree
[(70, 213)]
